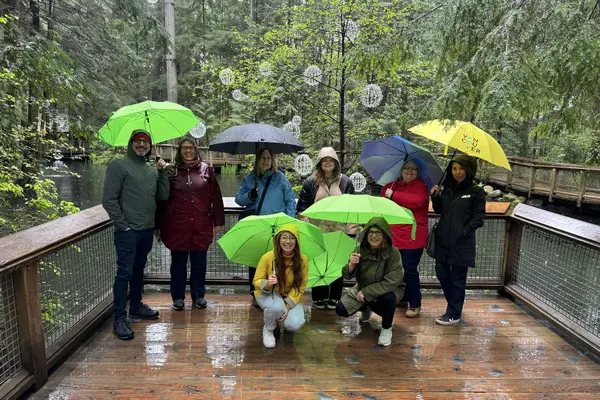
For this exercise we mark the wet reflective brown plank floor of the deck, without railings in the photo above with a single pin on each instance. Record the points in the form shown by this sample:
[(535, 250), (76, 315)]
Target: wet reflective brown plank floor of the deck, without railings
[(501, 352)]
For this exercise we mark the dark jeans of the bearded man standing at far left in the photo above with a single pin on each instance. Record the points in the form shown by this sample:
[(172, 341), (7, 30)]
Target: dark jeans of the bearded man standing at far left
[(132, 253)]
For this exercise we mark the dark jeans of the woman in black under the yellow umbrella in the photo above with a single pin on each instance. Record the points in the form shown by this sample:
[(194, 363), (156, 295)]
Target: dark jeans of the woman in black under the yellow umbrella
[(454, 284)]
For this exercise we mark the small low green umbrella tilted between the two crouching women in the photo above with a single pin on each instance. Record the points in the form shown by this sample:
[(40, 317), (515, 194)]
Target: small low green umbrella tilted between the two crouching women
[(327, 267)]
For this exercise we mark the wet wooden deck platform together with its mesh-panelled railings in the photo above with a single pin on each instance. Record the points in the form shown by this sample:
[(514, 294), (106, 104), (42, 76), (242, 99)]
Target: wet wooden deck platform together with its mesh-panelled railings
[(56, 342)]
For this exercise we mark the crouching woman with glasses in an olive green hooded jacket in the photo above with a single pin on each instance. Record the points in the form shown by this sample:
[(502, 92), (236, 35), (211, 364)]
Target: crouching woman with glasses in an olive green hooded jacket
[(379, 276)]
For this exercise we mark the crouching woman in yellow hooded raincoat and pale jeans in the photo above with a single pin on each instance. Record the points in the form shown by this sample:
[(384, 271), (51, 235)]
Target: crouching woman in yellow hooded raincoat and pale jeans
[(280, 280)]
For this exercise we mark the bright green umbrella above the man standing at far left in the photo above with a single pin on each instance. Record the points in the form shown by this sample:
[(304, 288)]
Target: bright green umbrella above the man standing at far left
[(163, 120)]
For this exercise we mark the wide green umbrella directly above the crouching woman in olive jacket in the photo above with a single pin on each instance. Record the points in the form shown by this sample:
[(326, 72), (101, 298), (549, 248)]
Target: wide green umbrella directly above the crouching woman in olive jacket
[(359, 209)]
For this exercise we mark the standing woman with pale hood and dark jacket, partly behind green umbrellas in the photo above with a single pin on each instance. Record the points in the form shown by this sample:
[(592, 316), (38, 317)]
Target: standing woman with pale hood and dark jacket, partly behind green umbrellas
[(326, 181)]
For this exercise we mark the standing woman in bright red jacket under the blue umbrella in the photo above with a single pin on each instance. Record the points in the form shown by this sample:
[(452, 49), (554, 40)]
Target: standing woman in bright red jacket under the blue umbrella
[(410, 191)]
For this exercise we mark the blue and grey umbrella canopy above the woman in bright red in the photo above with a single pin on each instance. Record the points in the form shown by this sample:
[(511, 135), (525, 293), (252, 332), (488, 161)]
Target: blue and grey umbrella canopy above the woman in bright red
[(383, 160)]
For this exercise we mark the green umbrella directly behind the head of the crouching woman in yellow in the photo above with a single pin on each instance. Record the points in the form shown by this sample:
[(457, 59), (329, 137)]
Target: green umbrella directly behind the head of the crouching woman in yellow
[(252, 237)]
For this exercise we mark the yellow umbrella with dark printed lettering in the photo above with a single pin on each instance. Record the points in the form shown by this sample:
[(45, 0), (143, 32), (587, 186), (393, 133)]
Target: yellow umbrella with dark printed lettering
[(466, 137)]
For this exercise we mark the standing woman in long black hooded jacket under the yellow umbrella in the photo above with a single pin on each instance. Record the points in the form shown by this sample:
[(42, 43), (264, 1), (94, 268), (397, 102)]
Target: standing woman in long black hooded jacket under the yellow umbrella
[(461, 205)]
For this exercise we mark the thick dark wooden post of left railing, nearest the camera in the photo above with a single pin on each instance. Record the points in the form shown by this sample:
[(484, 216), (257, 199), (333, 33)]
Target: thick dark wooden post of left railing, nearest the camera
[(31, 330)]
